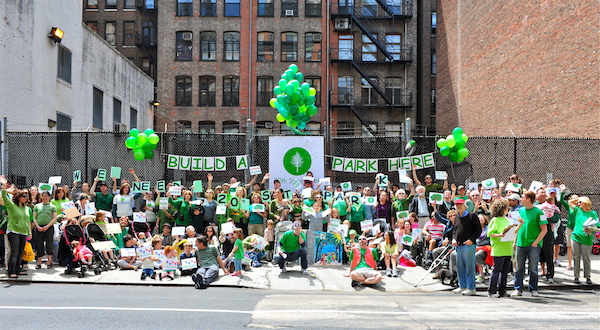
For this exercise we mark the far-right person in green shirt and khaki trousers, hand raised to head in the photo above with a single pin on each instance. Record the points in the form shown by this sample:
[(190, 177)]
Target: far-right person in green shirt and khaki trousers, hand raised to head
[(586, 222)]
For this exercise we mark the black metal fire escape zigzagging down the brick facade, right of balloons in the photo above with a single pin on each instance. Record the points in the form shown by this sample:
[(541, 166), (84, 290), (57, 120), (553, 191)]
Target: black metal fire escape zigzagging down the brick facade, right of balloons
[(368, 18)]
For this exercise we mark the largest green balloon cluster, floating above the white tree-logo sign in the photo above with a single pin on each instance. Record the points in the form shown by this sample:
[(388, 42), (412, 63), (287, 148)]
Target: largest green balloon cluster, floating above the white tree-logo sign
[(294, 99)]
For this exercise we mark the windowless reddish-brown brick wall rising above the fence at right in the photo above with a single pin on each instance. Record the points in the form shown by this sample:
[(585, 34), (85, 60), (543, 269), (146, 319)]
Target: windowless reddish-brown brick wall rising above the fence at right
[(528, 68)]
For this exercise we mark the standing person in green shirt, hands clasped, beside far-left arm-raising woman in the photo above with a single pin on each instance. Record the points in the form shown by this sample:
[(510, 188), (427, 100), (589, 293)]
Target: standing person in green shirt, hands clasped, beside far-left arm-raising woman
[(44, 217)]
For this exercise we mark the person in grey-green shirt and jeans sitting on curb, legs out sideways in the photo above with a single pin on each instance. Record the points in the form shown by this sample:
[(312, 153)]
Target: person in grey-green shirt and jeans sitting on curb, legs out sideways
[(209, 261)]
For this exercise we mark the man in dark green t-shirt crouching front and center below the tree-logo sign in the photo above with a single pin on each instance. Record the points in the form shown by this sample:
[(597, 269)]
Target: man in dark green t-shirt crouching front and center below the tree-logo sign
[(292, 247)]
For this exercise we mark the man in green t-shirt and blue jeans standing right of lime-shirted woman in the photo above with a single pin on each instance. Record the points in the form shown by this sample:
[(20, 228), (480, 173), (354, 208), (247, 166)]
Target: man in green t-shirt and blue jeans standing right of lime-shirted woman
[(530, 233)]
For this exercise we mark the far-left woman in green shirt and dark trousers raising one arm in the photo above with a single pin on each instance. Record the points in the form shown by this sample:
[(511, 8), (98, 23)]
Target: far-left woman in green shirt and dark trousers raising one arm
[(18, 227)]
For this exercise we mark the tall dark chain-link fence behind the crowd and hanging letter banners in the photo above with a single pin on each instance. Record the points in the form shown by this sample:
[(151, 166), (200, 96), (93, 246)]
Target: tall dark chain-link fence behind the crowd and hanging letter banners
[(33, 157)]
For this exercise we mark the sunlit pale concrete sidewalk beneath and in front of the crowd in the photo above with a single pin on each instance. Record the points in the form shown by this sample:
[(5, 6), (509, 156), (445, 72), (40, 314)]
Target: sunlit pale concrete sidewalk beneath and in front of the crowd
[(320, 278)]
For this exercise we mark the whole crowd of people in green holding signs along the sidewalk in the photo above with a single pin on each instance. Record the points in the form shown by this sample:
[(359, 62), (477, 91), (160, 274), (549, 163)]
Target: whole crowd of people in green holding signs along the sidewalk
[(234, 227)]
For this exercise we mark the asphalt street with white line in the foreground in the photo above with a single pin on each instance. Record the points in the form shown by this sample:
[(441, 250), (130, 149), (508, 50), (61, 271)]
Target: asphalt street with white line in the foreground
[(76, 306)]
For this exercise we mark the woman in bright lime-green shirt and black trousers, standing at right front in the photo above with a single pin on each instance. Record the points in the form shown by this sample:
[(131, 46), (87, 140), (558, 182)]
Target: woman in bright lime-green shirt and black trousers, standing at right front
[(501, 250)]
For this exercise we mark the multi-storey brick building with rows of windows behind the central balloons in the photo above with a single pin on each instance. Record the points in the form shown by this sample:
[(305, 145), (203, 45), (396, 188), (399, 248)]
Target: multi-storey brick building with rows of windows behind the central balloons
[(219, 60)]
